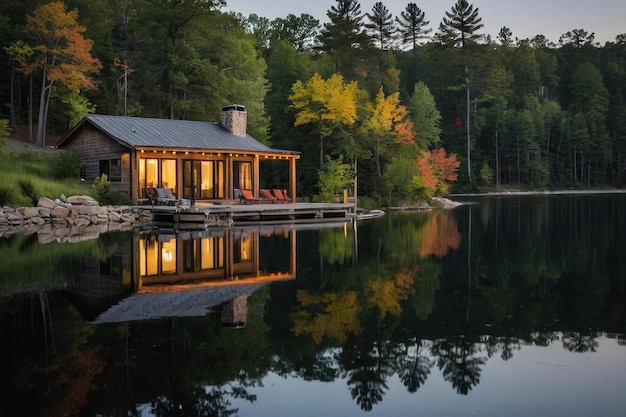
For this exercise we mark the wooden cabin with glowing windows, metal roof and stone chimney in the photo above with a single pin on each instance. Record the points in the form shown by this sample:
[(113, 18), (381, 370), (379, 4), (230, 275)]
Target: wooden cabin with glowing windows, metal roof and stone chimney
[(196, 160)]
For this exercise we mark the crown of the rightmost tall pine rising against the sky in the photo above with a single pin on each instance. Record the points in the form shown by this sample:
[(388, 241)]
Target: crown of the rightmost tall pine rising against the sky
[(460, 25)]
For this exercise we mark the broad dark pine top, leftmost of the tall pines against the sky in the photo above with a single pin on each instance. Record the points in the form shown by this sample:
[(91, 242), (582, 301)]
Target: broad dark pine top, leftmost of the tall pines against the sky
[(344, 36)]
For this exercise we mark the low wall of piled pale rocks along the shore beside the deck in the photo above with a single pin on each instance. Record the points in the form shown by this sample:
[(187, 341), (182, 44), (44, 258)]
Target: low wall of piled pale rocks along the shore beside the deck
[(73, 218)]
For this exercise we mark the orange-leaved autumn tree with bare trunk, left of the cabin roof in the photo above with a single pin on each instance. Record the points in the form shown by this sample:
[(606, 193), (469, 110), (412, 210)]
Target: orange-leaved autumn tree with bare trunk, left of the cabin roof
[(62, 53)]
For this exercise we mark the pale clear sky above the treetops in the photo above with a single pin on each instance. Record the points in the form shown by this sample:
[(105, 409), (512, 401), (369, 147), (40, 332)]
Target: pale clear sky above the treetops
[(525, 18)]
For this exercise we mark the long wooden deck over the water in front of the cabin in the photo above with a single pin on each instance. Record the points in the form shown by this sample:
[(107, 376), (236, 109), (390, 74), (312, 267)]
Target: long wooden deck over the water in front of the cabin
[(203, 215)]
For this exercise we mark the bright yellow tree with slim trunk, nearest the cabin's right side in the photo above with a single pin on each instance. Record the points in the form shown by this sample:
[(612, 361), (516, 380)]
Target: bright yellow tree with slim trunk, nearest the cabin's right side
[(326, 105)]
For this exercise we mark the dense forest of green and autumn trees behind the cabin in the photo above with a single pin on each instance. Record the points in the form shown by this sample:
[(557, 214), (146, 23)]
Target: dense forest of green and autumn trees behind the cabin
[(366, 95)]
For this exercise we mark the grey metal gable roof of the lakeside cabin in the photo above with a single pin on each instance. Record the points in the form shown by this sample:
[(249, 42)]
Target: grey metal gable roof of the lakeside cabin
[(137, 132)]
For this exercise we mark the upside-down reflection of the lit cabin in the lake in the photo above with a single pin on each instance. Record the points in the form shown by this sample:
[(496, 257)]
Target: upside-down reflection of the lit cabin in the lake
[(193, 273)]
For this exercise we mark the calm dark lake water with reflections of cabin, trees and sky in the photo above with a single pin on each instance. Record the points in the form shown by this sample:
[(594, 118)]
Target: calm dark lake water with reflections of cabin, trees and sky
[(507, 306)]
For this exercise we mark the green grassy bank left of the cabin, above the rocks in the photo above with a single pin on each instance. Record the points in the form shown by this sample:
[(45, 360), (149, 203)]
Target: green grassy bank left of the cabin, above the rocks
[(37, 170)]
